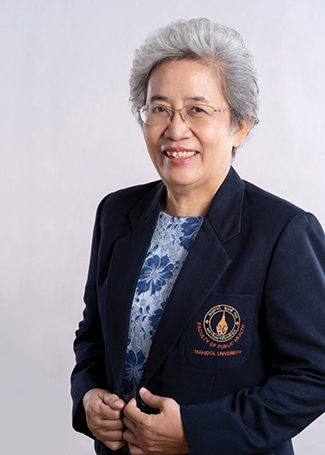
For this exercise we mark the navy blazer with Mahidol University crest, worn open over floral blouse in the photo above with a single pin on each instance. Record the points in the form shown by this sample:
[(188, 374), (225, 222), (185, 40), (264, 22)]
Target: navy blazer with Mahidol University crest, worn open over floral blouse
[(241, 343)]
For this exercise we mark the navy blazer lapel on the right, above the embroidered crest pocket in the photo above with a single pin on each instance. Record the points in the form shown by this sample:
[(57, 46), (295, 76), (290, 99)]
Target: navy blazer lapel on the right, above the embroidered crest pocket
[(205, 264)]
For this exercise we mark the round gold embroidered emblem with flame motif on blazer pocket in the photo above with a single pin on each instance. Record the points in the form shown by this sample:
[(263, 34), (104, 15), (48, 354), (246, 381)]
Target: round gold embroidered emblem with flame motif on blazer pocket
[(222, 323)]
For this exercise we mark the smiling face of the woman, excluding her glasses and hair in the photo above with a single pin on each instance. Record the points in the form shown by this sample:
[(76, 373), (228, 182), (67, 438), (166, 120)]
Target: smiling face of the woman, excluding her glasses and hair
[(207, 157)]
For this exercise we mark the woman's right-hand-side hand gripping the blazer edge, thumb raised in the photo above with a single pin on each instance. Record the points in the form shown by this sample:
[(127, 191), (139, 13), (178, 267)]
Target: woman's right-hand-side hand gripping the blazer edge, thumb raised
[(161, 433)]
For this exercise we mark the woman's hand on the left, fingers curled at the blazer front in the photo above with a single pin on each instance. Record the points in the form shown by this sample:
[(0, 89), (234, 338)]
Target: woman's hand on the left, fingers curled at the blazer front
[(104, 417)]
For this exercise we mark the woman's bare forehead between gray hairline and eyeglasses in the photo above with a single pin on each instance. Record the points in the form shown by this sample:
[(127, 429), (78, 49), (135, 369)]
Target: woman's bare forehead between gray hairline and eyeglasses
[(182, 80)]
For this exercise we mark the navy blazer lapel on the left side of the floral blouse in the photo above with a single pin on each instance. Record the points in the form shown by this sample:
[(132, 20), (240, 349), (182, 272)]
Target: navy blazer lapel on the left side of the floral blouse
[(125, 266)]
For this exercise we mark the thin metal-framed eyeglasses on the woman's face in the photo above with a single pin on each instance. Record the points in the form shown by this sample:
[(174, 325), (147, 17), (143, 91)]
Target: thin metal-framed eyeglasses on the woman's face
[(193, 114)]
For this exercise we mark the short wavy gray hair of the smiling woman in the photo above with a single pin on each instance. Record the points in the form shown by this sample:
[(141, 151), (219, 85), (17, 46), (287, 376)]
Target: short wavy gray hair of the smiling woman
[(203, 40)]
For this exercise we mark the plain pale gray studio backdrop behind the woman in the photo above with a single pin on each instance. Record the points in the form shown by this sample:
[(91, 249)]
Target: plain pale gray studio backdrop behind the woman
[(68, 138)]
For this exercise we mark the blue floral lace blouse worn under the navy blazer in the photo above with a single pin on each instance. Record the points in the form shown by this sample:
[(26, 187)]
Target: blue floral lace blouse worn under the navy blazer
[(169, 247)]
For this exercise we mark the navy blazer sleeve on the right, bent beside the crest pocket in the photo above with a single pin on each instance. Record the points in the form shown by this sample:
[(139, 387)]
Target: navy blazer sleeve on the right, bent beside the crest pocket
[(256, 420)]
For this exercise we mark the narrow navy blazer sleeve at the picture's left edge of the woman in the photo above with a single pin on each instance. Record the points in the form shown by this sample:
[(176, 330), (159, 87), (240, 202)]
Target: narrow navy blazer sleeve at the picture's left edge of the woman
[(89, 371)]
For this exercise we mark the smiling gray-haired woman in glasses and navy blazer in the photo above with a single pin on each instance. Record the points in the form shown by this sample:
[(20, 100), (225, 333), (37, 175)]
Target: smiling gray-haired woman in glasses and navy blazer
[(204, 325)]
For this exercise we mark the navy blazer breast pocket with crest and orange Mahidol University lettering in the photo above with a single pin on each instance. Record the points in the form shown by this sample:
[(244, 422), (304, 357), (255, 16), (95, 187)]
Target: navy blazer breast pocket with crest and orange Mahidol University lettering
[(219, 336)]
